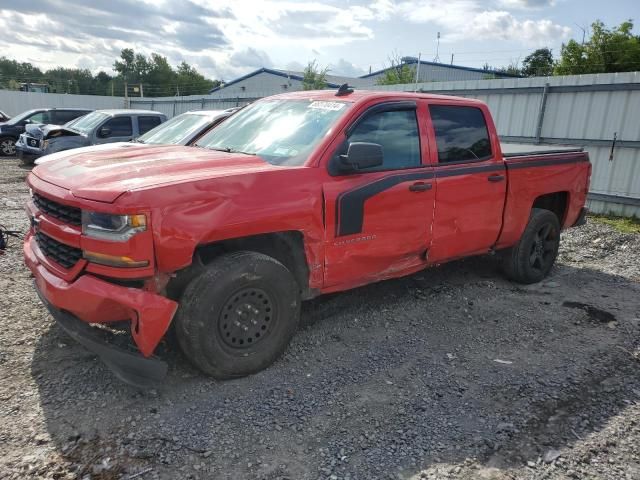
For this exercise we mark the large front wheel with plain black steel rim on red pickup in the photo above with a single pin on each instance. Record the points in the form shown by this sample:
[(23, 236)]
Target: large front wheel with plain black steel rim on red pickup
[(239, 315)]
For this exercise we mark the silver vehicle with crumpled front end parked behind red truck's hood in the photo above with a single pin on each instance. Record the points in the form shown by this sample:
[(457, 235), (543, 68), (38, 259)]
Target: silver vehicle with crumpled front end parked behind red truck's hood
[(99, 127)]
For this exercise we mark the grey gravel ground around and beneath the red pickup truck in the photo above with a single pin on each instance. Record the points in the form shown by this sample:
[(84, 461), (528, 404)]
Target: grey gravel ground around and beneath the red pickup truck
[(450, 373)]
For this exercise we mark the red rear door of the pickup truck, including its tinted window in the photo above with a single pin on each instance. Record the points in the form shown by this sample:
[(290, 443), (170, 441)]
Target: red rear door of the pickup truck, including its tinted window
[(470, 181)]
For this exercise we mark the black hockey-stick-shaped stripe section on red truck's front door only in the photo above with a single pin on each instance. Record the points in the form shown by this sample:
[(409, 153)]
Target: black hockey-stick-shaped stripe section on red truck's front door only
[(350, 204)]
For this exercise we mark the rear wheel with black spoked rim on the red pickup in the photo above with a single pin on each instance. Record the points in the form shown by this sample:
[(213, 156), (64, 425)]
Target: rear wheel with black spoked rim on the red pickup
[(532, 258)]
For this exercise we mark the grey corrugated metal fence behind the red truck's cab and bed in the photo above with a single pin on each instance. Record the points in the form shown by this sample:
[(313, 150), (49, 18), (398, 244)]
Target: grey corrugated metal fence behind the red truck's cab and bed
[(584, 110)]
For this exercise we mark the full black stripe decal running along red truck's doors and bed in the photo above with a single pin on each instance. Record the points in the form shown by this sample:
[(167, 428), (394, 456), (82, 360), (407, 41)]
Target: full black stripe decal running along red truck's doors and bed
[(350, 204)]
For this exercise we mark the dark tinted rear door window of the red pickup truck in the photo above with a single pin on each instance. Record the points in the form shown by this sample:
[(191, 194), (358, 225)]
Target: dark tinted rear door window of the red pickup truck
[(461, 133)]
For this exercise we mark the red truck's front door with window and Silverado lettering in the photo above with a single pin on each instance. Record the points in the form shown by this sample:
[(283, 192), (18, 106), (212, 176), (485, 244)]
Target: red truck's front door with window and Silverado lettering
[(378, 220)]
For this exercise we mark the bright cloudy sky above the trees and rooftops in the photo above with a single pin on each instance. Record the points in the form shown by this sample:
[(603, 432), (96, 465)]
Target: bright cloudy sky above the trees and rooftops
[(227, 39)]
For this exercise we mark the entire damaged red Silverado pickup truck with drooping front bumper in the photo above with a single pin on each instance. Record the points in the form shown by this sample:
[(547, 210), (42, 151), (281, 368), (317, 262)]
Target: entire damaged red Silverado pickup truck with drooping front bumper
[(295, 196)]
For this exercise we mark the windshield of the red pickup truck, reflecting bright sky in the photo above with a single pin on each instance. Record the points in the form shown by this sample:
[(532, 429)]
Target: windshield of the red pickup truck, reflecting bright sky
[(283, 132)]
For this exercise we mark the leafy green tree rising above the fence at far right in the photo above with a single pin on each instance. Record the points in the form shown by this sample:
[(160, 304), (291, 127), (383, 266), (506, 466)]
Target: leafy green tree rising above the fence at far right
[(607, 51)]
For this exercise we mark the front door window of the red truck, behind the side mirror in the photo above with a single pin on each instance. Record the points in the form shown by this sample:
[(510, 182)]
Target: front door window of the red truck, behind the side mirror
[(397, 133)]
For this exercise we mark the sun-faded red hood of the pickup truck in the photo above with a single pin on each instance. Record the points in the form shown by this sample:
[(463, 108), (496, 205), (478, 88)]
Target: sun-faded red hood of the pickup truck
[(104, 175)]
